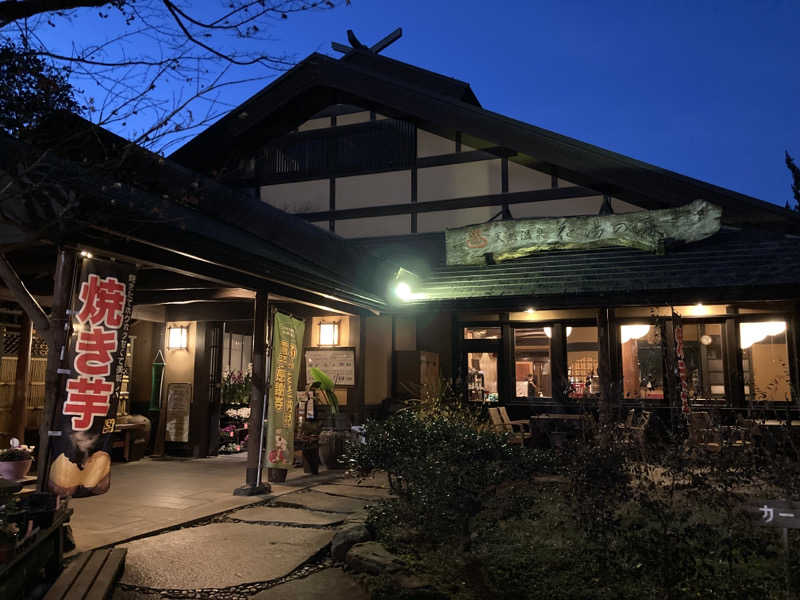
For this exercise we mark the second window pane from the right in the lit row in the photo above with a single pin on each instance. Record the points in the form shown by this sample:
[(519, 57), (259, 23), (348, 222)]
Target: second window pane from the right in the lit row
[(702, 350)]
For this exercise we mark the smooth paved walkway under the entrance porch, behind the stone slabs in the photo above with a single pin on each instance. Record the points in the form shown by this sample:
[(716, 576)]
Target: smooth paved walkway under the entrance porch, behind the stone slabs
[(152, 495)]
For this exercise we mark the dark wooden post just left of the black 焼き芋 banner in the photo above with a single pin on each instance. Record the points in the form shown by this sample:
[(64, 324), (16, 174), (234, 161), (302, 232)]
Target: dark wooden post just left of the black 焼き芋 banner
[(56, 342)]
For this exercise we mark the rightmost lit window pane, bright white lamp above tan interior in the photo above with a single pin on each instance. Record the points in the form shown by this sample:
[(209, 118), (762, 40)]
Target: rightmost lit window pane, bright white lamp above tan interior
[(765, 361)]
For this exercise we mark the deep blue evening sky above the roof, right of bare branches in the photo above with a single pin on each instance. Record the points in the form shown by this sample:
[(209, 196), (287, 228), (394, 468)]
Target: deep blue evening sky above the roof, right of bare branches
[(708, 89)]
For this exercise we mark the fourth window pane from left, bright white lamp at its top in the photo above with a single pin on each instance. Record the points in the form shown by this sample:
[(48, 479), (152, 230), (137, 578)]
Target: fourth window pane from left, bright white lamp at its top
[(642, 362)]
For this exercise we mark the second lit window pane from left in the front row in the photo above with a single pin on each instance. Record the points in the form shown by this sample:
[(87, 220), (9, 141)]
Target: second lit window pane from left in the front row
[(532, 356)]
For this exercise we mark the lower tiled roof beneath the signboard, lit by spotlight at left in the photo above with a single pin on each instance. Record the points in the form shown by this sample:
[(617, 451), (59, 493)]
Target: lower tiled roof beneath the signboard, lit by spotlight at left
[(729, 259)]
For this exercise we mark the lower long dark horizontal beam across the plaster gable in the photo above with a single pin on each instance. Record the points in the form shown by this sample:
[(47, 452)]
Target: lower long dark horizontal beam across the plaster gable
[(452, 204)]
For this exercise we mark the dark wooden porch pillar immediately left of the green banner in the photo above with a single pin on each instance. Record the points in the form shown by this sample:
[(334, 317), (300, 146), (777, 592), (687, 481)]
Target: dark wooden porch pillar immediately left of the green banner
[(259, 387)]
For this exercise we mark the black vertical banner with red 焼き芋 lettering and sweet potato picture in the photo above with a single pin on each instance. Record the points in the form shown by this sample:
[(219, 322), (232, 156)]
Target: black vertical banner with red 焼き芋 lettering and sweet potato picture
[(86, 409)]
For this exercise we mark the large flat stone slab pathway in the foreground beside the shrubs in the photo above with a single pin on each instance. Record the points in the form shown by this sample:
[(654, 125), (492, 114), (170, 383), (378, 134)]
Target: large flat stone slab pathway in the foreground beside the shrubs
[(276, 549)]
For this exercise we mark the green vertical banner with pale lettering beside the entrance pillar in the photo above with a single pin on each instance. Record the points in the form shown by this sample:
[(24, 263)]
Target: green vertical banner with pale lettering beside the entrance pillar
[(287, 348)]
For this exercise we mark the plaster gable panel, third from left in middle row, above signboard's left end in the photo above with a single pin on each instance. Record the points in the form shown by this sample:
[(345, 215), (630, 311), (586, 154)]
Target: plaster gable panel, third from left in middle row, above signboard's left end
[(458, 181)]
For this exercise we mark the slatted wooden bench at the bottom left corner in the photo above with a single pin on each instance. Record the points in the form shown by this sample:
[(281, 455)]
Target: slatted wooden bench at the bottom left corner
[(90, 576)]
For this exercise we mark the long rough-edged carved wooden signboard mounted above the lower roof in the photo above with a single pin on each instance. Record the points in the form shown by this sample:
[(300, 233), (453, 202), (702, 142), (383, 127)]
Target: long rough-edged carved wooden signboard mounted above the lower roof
[(647, 230)]
